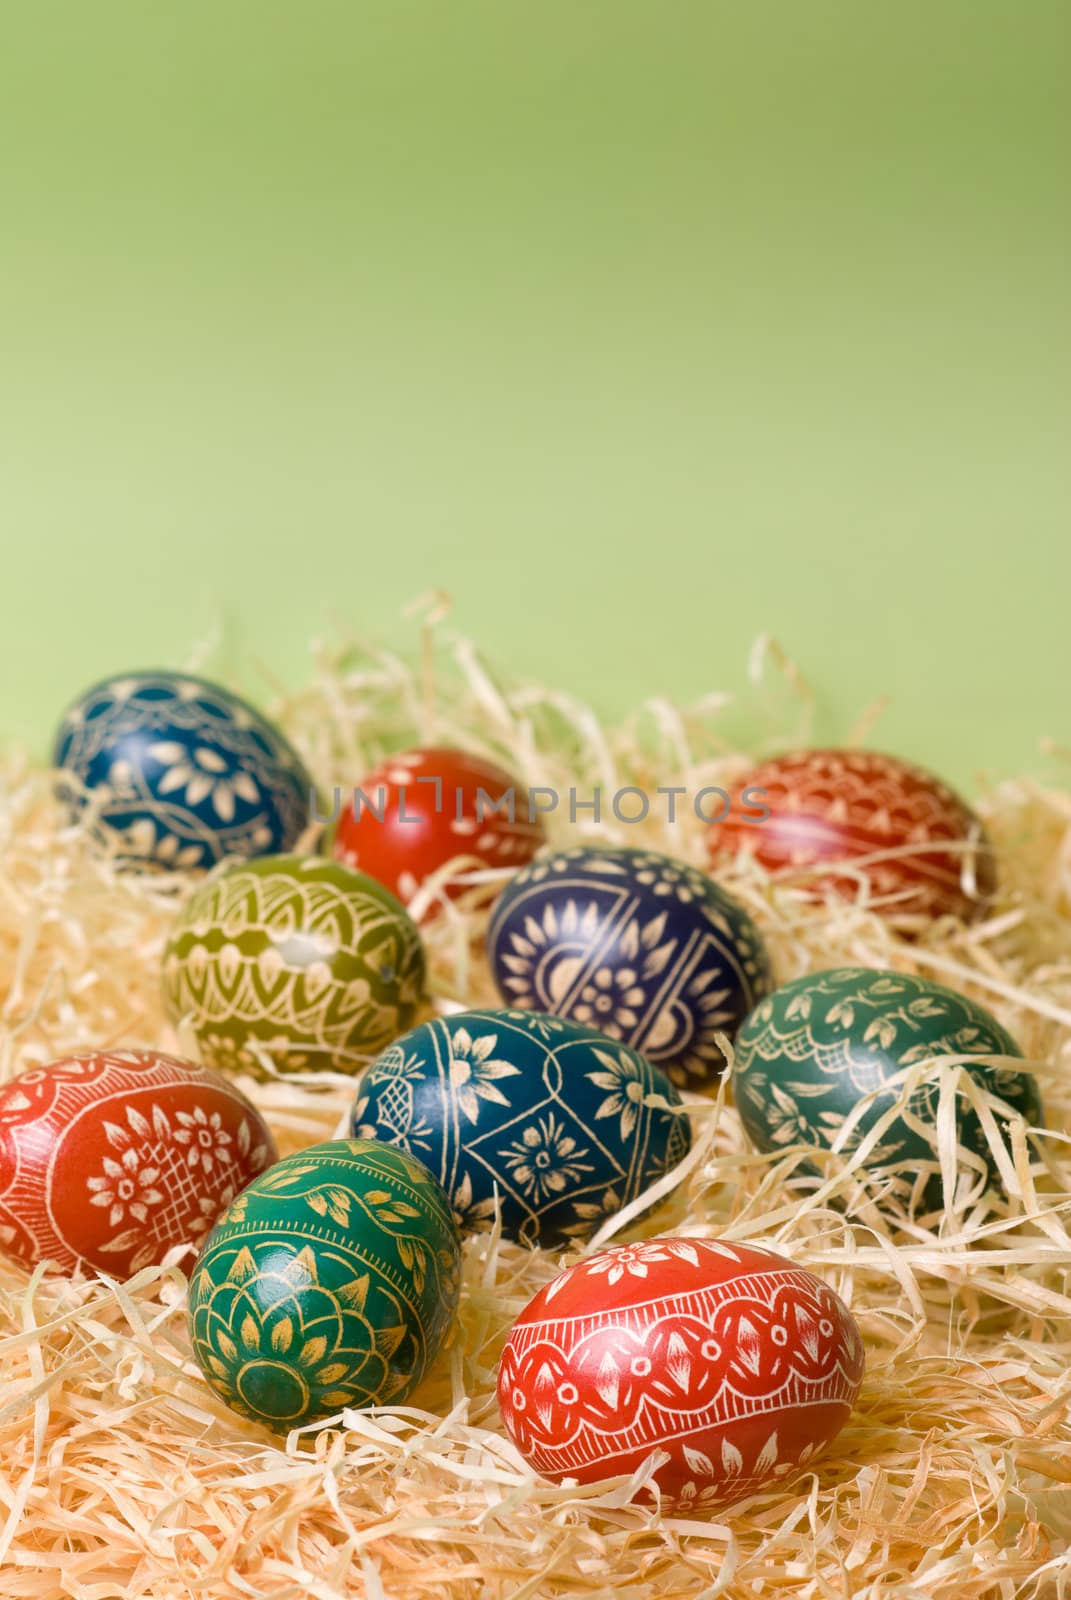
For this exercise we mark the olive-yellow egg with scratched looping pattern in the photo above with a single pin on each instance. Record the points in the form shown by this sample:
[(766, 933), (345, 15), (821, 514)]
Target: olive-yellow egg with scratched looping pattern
[(305, 959)]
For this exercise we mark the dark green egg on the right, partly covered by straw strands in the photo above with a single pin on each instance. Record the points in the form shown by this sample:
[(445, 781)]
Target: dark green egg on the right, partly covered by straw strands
[(816, 1047)]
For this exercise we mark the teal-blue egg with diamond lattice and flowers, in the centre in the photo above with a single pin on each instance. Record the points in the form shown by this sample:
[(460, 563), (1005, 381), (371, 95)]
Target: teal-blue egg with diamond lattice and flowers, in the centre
[(547, 1113)]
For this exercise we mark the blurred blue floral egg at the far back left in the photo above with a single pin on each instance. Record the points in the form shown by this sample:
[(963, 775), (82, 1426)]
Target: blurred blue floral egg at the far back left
[(191, 772)]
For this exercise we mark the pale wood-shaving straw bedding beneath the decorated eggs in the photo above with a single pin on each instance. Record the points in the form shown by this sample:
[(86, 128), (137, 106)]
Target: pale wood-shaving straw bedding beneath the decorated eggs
[(124, 1476)]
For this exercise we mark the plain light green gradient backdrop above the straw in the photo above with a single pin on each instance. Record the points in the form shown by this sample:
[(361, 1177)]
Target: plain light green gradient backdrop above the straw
[(641, 329)]
